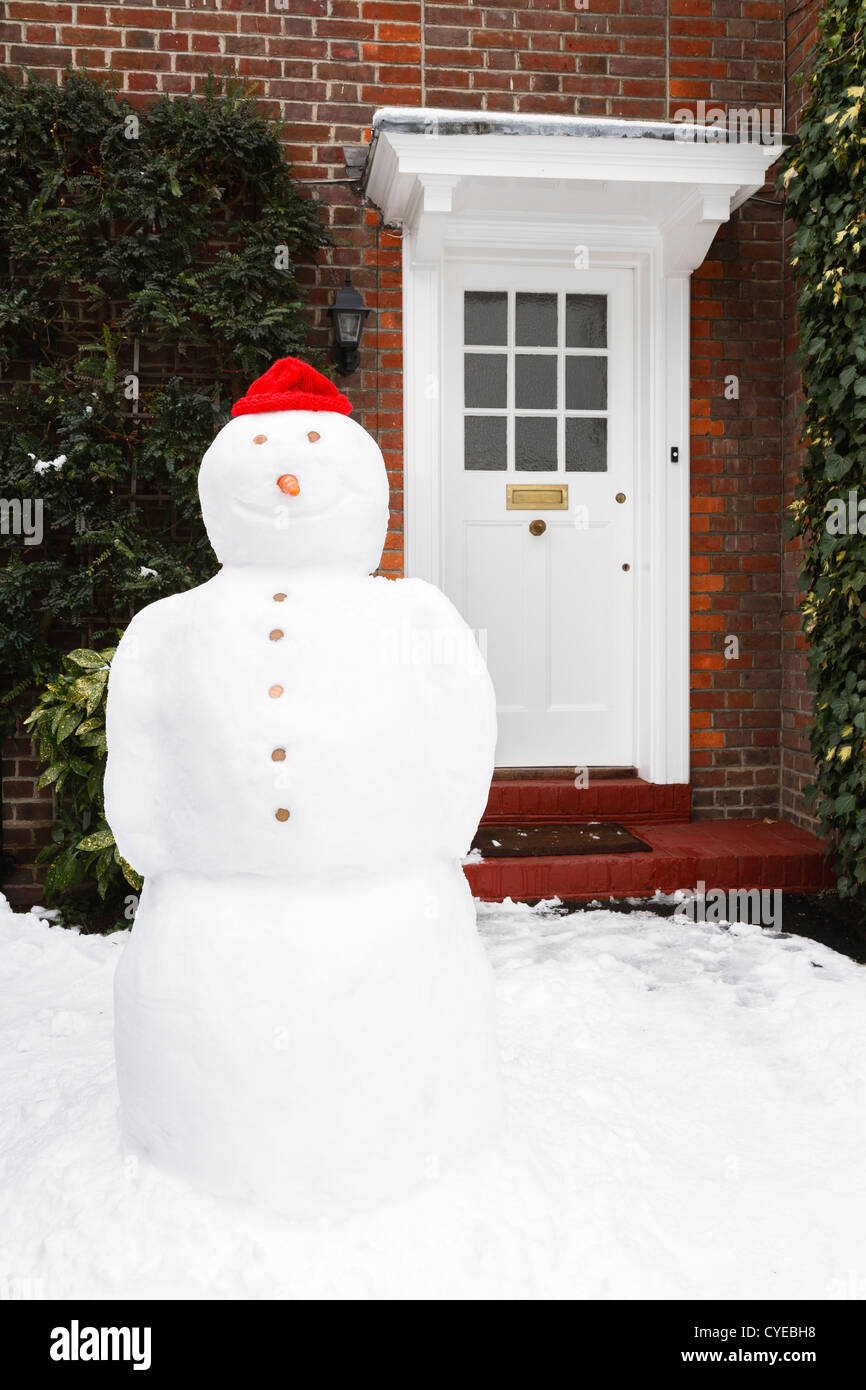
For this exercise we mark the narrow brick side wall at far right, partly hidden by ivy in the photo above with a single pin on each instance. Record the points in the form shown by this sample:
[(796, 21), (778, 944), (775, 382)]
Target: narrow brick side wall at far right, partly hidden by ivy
[(797, 767)]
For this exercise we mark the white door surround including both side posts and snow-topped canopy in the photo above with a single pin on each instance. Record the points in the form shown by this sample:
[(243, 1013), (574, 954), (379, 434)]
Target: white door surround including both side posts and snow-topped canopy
[(671, 201)]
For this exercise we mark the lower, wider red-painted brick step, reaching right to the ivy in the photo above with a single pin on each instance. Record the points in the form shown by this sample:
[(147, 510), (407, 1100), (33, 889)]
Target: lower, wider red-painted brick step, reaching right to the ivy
[(724, 854)]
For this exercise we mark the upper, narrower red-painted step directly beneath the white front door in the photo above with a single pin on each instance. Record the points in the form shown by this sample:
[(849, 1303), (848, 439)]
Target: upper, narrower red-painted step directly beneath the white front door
[(544, 801)]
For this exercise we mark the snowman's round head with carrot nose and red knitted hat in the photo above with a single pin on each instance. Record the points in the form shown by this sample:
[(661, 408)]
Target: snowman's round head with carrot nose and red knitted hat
[(291, 482)]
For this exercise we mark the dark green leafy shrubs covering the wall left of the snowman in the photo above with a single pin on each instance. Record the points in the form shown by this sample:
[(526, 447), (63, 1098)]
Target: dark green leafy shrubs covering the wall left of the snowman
[(165, 240)]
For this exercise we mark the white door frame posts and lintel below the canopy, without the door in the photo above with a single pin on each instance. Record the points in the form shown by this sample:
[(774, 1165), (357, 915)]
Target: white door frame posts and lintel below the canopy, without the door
[(662, 491)]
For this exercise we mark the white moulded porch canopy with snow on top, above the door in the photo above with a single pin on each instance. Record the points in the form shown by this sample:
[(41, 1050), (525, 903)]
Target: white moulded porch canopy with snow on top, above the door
[(675, 180)]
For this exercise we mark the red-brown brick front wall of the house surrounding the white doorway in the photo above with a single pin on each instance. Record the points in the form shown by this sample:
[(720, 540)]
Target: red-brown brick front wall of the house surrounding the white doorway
[(325, 66)]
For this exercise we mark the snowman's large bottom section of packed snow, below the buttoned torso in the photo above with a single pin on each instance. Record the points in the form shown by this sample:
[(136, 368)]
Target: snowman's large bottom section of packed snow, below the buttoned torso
[(312, 1049)]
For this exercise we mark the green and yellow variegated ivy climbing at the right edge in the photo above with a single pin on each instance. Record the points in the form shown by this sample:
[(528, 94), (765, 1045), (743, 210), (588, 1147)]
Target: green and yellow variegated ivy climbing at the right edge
[(825, 179)]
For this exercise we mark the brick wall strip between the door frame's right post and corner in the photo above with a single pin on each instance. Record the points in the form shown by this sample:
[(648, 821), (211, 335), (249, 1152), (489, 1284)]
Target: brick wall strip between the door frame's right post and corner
[(736, 519)]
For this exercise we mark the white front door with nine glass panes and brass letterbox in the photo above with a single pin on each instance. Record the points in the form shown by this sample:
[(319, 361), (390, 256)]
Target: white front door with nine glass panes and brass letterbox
[(539, 502)]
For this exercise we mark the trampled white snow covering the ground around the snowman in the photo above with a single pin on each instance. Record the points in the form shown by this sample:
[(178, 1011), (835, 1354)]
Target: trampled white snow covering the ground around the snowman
[(687, 1120)]
